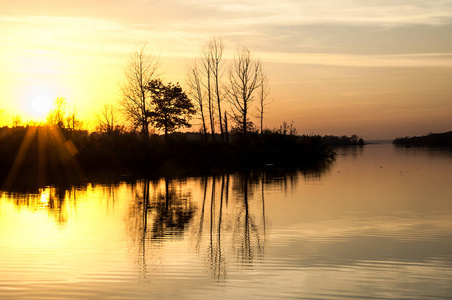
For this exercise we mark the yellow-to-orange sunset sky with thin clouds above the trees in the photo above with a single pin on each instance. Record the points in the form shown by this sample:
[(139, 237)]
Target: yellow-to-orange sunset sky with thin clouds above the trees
[(379, 69)]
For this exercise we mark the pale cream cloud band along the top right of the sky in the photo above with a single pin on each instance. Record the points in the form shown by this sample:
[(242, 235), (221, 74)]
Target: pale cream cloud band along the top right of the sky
[(296, 12)]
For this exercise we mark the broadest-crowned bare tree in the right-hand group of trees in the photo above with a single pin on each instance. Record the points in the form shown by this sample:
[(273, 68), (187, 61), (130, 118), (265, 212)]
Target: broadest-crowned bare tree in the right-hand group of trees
[(243, 81)]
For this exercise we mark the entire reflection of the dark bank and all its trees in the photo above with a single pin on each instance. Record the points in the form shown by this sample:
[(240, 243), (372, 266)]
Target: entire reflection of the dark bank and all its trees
[(223, 216)]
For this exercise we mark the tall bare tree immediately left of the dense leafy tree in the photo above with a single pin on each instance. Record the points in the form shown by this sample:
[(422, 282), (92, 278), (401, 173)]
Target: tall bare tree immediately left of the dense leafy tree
[(136, 99)]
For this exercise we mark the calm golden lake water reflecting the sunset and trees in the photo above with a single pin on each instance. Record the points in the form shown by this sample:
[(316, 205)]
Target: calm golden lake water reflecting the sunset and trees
[(374, 224)]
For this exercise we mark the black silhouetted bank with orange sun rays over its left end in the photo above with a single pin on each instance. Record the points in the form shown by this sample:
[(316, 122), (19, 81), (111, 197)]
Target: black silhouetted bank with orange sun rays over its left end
[(43, 154)]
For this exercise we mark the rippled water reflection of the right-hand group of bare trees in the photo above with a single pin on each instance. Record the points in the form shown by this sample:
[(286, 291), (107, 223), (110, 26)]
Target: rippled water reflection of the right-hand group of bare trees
[(234, 228)]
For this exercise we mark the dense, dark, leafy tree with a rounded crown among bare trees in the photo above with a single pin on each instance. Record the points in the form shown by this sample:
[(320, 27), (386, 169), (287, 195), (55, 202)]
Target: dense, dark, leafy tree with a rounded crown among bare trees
[(171, 108)]
